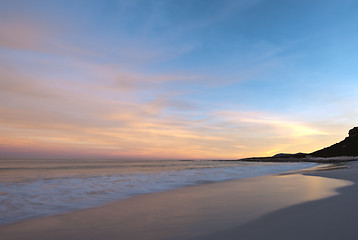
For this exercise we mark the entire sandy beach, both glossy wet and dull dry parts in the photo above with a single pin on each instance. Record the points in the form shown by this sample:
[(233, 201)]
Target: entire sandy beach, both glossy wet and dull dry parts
[(303, 205)]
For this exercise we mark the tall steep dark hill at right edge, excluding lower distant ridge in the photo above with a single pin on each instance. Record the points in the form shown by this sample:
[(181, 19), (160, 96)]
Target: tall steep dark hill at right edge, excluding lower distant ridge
[(347, 147)]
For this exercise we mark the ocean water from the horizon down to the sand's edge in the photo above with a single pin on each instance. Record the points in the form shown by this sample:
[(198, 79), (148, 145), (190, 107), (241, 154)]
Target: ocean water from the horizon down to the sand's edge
[(35, 188)]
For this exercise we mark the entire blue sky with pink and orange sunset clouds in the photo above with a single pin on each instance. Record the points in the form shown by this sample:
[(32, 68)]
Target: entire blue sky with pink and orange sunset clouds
[(170, 79)]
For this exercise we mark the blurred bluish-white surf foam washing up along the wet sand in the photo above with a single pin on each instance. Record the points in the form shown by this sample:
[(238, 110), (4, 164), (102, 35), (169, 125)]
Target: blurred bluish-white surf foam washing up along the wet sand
[(31, 203)]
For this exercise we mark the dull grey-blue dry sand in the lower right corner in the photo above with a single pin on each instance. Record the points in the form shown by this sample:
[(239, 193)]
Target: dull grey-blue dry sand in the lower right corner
[(329, 218)]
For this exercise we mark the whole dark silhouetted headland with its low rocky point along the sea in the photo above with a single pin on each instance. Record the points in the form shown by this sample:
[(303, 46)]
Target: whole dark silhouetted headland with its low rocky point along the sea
[(346, 148)]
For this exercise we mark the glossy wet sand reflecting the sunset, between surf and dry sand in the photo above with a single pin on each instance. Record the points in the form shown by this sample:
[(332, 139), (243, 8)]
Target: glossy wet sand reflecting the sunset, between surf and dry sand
[(193, 211)]
